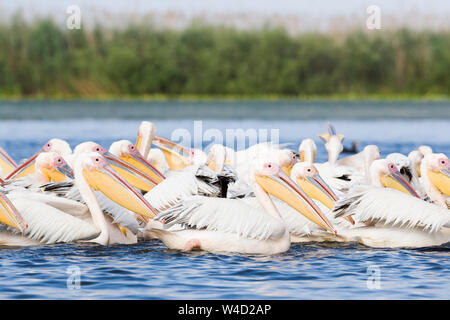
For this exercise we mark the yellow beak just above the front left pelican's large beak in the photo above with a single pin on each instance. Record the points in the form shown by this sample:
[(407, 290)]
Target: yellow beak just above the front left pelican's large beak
[(130, 173)]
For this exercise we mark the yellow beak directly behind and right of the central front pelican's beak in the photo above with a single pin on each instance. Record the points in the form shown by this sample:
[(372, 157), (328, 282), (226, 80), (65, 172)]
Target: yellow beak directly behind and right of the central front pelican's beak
[(318, 189)]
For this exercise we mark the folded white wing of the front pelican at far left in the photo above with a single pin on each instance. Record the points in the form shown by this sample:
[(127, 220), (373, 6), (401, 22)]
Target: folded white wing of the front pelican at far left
[(50, 225)]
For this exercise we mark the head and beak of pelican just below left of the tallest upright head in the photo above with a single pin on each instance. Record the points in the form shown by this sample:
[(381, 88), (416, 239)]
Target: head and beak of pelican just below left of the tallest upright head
[(129, 153)]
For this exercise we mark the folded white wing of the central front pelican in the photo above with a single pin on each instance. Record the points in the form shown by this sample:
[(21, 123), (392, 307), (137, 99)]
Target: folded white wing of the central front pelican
[(225, 215)]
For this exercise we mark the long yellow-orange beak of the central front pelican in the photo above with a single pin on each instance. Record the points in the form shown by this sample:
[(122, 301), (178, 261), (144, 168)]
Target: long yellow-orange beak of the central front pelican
[(282, 187)]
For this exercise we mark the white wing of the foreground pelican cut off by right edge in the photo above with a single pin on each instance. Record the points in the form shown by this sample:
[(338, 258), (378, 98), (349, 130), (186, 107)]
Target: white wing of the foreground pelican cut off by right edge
[(392, 207)]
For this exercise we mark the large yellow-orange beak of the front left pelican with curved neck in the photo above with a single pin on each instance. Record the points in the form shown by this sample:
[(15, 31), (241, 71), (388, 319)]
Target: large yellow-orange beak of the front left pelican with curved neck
[(112, 185)]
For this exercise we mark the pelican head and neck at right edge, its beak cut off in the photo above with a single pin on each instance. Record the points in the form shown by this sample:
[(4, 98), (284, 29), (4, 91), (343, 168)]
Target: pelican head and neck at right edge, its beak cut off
[(436, 178)]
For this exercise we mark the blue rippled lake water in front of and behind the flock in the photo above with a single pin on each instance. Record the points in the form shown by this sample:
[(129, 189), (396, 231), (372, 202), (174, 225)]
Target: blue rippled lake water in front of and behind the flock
[(148, 270)]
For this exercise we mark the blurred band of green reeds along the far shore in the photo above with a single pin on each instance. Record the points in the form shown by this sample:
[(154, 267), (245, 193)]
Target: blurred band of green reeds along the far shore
[(42, 59)]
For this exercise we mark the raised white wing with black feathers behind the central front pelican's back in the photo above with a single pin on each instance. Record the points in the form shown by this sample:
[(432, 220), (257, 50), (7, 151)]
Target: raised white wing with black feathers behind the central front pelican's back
[(181, 185)]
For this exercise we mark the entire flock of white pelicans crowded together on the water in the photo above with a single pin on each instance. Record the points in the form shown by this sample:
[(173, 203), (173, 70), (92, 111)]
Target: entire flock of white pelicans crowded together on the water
[(254, 201)]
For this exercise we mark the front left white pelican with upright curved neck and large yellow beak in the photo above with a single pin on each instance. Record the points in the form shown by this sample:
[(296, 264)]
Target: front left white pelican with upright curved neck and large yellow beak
[(46, 224)]
